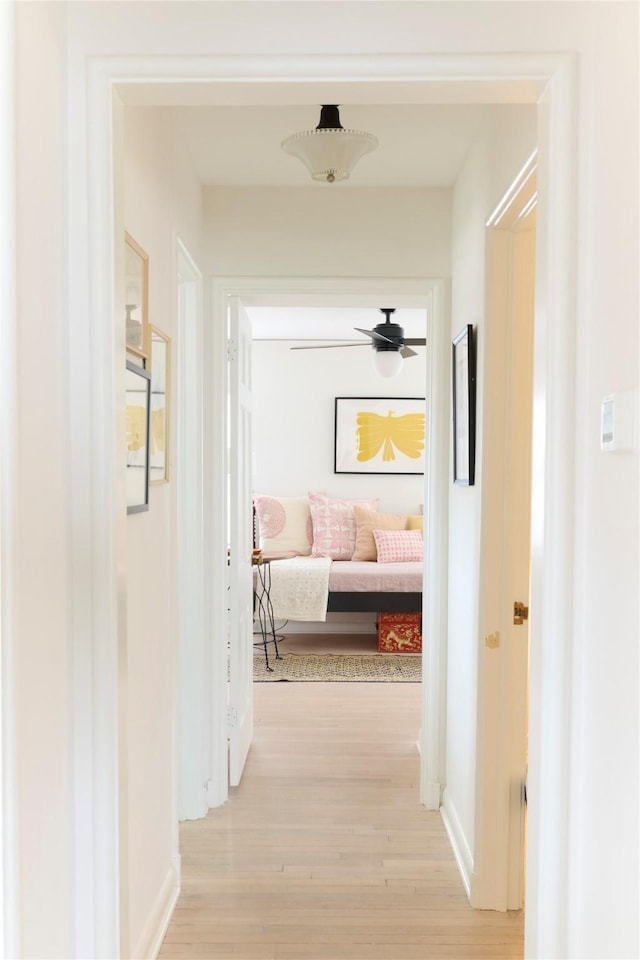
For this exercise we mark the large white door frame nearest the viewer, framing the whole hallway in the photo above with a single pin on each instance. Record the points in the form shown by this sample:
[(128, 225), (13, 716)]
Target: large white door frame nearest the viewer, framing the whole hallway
[(93, 358)]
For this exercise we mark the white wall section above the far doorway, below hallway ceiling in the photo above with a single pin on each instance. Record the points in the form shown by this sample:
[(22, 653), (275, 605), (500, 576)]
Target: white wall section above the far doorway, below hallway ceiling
[(314, 232)]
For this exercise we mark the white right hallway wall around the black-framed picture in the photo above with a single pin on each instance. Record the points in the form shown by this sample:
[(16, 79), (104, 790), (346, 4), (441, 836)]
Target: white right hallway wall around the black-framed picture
[(492, 164)]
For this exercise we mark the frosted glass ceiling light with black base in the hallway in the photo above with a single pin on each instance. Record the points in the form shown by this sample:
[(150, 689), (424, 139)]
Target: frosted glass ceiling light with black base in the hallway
[(330, 152)]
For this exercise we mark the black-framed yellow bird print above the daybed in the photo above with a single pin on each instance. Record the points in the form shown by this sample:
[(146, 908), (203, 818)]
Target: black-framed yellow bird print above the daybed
[(380, 435)]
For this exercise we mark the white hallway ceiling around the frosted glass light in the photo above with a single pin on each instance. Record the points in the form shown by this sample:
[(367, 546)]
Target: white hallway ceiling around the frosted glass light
[(419, 145)]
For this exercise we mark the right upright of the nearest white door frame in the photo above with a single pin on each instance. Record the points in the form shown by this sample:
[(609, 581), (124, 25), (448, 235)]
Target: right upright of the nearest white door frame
[(552, 520)]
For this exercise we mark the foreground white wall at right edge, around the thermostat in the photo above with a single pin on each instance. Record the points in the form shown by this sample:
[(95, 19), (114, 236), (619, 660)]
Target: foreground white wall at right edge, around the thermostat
[(603, 915)]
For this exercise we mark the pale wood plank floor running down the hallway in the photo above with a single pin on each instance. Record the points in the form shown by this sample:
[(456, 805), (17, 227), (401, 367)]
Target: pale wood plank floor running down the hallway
[(323, 852)]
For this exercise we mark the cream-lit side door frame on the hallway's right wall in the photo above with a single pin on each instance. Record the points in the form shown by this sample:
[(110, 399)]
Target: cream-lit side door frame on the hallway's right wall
[(497, 881)]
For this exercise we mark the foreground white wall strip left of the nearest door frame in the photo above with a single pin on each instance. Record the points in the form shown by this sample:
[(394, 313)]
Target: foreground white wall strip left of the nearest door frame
[(36, 653)]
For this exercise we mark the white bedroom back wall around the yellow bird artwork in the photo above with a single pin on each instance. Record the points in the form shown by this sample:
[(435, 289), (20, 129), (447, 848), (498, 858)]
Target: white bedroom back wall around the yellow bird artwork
[(296, 391)]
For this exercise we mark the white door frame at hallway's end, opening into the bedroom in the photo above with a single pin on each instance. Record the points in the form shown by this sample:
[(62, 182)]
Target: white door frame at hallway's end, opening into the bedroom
[(345, 292)]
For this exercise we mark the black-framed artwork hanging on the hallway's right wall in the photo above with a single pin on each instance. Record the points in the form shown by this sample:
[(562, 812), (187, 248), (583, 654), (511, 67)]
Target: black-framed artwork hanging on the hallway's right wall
[(464, 407)]
